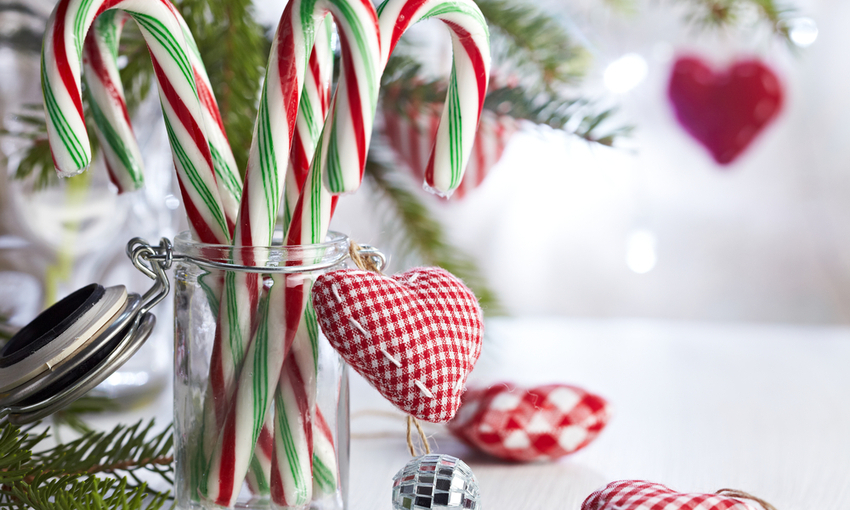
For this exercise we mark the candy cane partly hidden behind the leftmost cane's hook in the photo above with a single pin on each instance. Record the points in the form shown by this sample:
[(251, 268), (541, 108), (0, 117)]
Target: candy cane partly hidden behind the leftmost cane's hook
[(112, 122)]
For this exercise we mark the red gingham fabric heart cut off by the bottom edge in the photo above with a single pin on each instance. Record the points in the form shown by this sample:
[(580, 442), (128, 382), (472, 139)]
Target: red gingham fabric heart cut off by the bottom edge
[(641, 495)]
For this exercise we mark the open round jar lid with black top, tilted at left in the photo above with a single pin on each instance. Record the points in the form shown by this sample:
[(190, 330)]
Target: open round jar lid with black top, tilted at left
[(69, 349)]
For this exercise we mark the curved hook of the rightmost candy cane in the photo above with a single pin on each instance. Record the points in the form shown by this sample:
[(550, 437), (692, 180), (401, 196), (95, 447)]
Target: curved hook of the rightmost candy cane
[(467, 84)]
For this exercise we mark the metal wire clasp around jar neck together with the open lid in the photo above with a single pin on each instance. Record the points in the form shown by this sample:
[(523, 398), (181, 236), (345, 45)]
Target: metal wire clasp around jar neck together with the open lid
[(80, 341)]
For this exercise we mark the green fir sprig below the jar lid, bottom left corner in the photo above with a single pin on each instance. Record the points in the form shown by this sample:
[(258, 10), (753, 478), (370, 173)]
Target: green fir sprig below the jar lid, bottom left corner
[(86, 473)]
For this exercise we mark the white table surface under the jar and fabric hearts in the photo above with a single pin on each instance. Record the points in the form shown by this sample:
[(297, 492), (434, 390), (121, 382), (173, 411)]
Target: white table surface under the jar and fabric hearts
[(698, 407)]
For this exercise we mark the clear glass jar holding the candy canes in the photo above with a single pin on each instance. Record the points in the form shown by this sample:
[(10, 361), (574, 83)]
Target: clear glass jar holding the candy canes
[(201, 271)]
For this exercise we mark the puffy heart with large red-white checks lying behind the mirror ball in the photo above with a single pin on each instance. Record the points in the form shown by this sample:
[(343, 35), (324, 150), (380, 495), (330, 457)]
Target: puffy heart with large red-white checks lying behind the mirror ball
[(525, 425)]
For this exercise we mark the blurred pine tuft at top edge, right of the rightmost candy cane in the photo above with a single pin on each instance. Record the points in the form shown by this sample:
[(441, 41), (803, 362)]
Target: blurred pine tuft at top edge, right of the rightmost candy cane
[(534, 42)]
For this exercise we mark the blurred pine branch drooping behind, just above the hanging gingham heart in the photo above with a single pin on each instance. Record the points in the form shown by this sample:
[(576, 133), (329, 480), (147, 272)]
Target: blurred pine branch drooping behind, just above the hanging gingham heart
[(419, 234)]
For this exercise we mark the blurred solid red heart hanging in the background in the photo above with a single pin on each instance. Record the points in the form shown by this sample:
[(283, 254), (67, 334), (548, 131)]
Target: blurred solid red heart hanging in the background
[(724, 110)]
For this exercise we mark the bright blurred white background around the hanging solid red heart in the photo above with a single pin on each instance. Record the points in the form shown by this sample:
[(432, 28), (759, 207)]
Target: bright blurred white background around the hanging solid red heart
[(655, 228)]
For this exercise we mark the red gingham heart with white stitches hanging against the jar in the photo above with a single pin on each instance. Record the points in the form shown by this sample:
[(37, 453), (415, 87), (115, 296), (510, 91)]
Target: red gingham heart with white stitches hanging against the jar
[(415, 336)]
